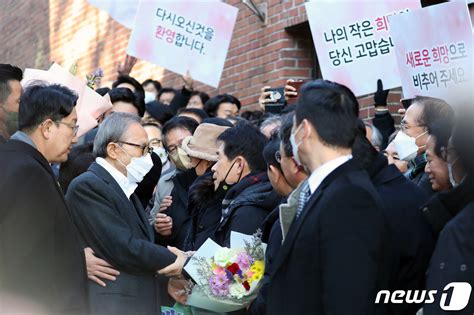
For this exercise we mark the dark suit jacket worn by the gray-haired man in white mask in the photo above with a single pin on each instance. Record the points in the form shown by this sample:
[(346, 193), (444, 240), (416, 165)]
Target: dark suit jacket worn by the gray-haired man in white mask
[(116, 228)]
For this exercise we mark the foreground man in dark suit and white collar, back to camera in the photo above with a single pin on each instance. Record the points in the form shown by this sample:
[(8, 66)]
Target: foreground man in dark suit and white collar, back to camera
[(333, 259)]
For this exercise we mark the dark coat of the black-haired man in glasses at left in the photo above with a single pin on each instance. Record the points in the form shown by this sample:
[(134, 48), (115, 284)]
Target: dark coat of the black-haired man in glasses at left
[(41, 261)]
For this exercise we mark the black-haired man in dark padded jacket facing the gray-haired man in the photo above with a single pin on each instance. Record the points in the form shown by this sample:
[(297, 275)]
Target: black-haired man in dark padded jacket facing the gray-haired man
[(240, 171)]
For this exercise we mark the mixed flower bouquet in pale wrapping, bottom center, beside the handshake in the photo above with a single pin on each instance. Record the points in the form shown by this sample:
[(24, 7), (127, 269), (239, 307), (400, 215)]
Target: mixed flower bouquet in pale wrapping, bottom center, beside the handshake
[(227, 279)]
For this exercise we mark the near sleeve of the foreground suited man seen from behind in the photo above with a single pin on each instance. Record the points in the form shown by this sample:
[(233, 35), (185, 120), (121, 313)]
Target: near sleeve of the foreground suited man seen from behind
[(352, 233)]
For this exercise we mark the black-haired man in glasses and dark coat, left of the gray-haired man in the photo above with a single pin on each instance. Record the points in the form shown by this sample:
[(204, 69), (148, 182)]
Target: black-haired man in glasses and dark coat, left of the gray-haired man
[(42, 268)]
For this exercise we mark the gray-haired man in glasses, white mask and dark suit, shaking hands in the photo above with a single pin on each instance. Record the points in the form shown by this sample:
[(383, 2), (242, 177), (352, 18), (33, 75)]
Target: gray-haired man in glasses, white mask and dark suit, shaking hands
[(111, 220)]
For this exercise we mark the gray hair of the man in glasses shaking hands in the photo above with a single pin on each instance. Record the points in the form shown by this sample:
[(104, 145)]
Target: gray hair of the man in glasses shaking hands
[(112, 129)]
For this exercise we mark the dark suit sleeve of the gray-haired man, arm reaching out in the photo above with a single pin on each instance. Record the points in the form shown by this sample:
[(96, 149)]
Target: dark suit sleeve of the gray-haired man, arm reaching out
[(98, 221)]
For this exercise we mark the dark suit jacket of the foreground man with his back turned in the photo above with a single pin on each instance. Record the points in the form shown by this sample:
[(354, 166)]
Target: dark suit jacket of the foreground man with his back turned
[(334, 259)]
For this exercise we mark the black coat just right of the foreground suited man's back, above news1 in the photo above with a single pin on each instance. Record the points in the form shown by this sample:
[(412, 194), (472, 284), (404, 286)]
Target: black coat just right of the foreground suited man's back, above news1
[(412, 241)]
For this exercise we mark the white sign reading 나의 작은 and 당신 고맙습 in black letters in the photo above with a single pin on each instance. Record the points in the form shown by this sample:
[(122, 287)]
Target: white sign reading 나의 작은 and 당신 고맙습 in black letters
[(353, 42)]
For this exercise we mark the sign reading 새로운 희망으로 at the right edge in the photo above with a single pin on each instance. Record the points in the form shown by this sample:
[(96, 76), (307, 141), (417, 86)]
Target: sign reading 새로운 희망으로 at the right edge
[(435, 61)]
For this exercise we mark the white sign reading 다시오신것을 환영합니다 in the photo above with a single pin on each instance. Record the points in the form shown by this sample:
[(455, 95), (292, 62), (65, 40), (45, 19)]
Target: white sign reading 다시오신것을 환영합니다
[(184, 35)]
